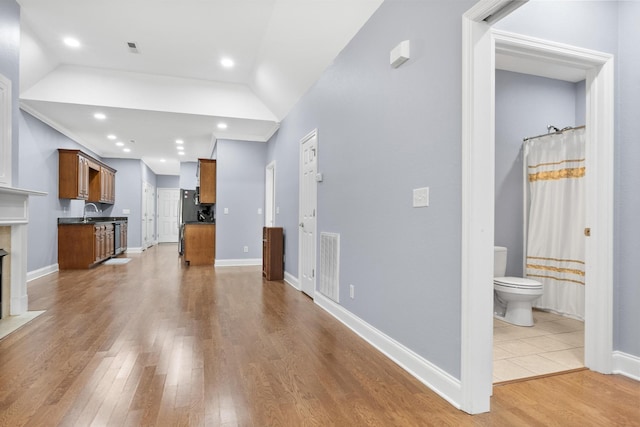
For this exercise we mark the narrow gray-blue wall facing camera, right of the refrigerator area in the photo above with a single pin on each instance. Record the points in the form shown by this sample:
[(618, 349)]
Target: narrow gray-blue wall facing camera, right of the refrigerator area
[(240, 188)]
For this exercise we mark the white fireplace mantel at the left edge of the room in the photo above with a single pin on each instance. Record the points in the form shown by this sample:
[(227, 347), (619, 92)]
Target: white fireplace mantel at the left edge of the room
[(14, 212)]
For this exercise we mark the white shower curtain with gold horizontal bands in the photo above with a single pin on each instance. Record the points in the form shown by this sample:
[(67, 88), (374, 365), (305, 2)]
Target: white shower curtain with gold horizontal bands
[(555, 169)]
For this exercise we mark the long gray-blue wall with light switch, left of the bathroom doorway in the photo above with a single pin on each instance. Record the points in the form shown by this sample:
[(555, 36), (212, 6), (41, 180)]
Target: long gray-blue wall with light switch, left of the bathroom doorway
[(383, 132)]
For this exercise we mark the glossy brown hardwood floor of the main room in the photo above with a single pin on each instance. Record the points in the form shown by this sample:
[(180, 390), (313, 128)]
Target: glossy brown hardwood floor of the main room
[(153, 342)]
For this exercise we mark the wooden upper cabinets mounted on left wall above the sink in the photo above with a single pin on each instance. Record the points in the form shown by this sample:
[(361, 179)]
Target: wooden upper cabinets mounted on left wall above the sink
[(80, 176)]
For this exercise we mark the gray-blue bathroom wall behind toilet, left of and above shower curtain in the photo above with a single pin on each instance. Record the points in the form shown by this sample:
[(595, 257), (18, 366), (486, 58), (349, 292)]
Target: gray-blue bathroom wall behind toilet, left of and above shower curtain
[(525, 105)]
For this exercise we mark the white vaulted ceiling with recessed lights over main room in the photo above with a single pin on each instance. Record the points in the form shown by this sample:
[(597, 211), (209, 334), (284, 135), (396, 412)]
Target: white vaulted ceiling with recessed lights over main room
[(175, 86)]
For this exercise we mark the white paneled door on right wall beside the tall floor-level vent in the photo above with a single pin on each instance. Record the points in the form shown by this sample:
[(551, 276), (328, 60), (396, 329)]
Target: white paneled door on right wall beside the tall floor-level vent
[(308, 206)]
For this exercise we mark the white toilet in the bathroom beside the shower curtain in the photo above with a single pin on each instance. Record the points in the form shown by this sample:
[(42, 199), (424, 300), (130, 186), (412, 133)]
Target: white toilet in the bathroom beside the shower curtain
[(512, 296)]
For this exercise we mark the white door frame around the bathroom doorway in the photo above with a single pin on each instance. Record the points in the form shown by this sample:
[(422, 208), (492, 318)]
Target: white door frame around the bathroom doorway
[(480, 43)]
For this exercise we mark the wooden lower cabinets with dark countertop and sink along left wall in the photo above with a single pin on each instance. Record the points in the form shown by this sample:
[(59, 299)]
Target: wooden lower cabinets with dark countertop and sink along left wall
[(83, 245)]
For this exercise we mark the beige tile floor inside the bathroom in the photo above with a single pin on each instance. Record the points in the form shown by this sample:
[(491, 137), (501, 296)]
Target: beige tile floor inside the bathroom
[(554, 344)]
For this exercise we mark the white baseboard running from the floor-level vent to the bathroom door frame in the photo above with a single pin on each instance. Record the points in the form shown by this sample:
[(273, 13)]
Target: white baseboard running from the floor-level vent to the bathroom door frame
[(448, 387)]
